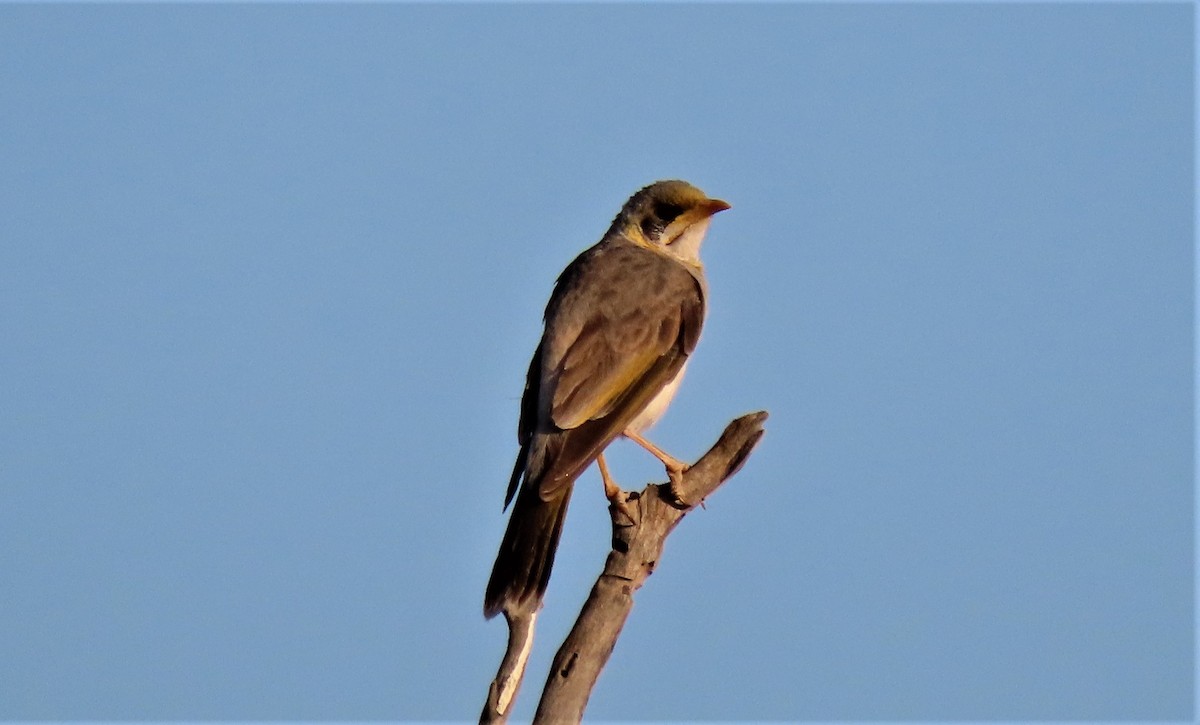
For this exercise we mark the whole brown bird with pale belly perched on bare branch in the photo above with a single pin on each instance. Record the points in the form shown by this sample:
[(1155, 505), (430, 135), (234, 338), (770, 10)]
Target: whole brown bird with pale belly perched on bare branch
[(620, 327)]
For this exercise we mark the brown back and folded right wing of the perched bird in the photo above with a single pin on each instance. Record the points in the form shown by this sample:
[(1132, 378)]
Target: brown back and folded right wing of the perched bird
[(623, 326)]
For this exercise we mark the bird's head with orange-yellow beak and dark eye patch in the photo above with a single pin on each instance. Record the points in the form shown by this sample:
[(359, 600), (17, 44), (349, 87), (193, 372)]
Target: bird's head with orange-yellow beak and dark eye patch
[(673, 215)]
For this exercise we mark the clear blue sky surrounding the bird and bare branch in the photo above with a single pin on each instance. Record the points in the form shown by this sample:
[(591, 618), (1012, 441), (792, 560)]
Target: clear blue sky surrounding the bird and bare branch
[(271, 277)]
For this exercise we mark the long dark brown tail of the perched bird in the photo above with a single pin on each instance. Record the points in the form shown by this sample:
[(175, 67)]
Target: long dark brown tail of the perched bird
[(527, 553)]
